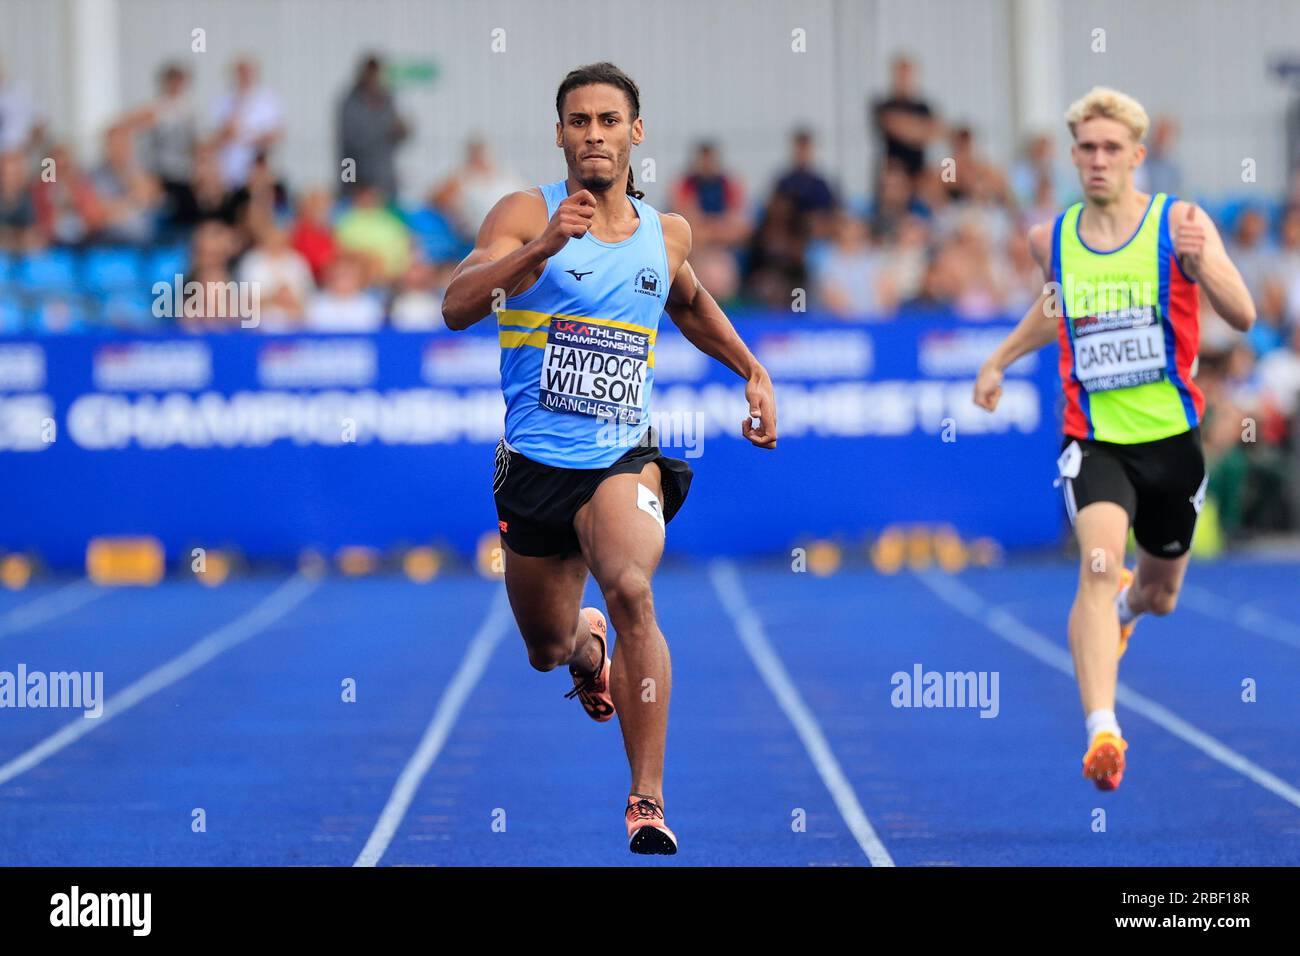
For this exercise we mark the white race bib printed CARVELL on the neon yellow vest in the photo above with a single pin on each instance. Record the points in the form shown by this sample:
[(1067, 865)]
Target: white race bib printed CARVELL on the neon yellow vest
[(1120, 351)]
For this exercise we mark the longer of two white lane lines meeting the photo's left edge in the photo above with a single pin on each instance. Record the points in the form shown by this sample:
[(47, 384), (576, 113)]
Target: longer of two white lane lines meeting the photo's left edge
[(266, 613)]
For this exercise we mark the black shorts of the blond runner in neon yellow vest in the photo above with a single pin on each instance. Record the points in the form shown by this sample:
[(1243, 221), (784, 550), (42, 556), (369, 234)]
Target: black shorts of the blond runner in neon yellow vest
[(1162, 485)]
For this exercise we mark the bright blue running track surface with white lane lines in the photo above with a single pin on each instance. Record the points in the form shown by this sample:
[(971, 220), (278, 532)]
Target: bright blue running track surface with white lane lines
[(785, 746)]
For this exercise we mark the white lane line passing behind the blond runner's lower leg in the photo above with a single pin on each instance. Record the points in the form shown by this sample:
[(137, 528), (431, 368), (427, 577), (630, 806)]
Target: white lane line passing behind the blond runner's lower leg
[(1029, 641)]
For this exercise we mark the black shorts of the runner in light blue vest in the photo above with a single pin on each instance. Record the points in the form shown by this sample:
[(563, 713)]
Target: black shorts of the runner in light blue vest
[(536, 503)]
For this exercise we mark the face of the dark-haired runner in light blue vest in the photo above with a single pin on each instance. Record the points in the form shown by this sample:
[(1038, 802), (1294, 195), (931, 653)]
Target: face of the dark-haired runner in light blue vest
[(597, 136)]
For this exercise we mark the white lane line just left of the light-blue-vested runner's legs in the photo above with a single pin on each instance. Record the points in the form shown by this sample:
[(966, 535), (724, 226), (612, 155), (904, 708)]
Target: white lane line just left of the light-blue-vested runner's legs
[(473, 668)]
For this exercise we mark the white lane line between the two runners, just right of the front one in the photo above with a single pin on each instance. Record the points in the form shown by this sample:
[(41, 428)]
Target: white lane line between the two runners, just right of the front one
[(749, 629)]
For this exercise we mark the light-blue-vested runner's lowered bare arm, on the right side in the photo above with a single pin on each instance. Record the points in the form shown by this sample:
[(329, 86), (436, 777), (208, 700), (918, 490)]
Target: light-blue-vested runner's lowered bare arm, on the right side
[(708, 328)]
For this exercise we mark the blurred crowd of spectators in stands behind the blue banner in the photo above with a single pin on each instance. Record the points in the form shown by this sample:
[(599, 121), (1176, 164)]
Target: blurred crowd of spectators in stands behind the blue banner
[(192, 193)]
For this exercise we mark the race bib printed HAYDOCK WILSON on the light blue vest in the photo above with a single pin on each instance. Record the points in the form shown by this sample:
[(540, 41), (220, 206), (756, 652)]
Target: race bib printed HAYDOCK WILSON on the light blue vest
[(596, 370)]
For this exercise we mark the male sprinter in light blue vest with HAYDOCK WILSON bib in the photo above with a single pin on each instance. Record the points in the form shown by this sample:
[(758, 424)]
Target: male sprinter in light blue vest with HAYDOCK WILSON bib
[(579, 272)]
